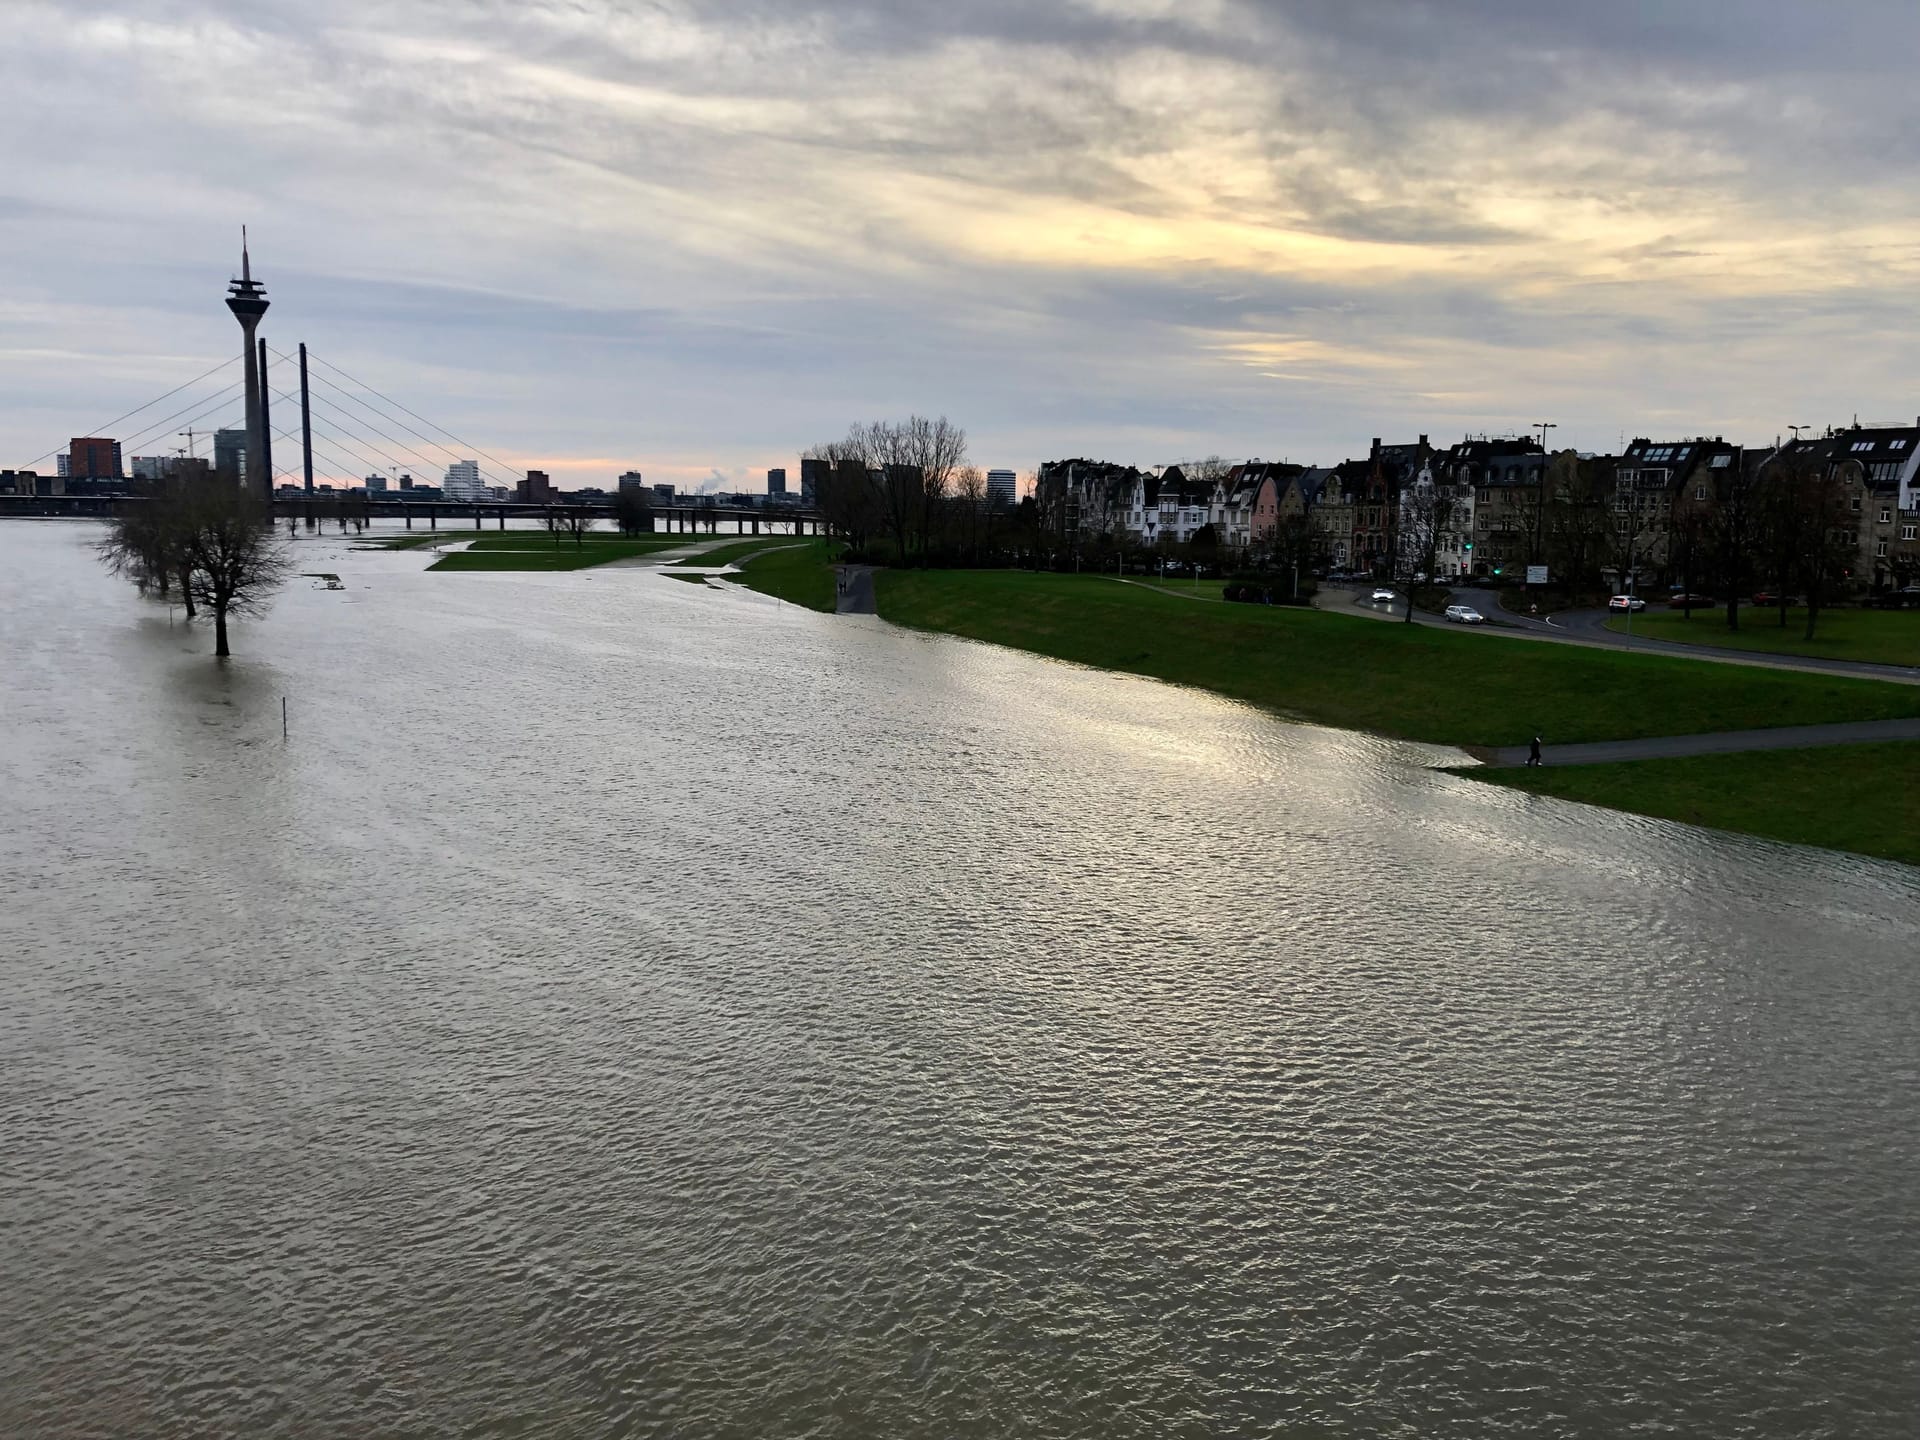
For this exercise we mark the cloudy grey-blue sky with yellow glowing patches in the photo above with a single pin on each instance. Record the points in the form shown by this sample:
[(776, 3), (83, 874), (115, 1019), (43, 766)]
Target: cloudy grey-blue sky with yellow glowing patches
[(696, 237)]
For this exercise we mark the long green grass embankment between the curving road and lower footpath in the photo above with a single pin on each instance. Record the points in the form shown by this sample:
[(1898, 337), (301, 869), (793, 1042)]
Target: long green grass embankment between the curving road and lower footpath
[(1418, 683)]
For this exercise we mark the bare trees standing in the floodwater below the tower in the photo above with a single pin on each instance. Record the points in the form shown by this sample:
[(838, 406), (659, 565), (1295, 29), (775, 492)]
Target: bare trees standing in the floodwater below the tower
[(201, 539)]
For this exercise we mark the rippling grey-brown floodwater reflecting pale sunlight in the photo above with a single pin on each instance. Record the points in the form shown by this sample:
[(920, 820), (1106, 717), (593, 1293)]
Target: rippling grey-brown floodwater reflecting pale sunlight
[(621, 1009)]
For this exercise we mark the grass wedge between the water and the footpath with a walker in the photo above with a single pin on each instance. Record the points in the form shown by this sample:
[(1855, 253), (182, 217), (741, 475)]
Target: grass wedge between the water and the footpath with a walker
[(1846, 798)]
